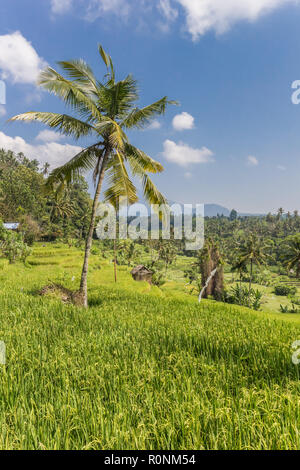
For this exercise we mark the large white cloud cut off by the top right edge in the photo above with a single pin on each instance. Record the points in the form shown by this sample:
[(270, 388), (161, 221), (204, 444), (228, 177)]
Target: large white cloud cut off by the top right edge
[(220, 15)]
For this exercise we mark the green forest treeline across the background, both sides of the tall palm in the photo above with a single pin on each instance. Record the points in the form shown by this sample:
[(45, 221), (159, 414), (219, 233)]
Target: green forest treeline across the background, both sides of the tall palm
[(241, 245)]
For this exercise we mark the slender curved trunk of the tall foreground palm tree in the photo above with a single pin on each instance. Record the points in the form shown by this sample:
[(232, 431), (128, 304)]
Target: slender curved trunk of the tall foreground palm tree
[(89, 240)]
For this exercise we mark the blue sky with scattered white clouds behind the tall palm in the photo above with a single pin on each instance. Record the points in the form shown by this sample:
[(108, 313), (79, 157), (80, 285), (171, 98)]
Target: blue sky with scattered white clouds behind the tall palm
[(234, 139)]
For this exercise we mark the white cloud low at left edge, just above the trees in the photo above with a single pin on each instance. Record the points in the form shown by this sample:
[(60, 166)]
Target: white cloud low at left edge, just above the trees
[(52, 152)]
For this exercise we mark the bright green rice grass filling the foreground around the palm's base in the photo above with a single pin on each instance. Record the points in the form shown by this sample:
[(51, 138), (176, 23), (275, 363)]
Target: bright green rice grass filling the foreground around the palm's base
[(143, 368)]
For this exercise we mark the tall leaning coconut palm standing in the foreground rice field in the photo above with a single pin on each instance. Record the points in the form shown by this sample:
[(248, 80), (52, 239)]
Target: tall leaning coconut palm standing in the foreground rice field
[(104, 110)]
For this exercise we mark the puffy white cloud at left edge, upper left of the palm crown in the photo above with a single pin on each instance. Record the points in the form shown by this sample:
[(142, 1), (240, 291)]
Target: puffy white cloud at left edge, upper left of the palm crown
[(19, 62)]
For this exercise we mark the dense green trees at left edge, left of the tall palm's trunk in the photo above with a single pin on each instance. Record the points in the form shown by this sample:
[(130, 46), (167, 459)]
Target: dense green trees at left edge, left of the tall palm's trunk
[(42, 215)]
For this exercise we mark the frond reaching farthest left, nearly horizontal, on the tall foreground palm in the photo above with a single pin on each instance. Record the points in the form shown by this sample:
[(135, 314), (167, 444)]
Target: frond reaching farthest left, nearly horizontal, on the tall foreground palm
[(65, 124)]
